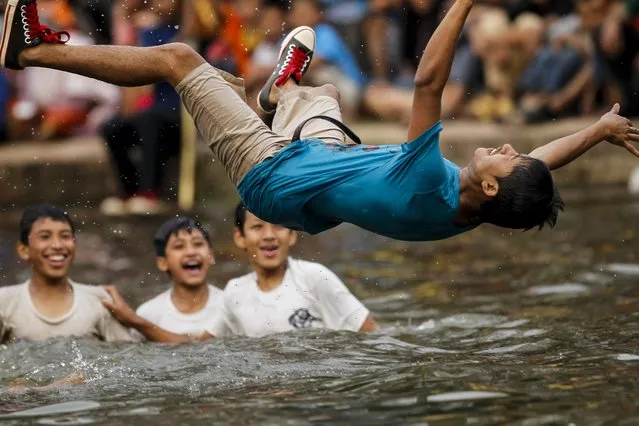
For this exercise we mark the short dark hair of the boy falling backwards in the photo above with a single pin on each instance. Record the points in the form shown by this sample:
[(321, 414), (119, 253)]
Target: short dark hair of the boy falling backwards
[(526, 198)]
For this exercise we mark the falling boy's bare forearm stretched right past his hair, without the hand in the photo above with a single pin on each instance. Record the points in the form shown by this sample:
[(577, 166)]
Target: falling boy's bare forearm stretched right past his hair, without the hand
[(558, 153)]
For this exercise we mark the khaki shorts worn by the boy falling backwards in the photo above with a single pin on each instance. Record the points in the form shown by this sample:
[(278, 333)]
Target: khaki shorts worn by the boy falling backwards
[(238, 138)]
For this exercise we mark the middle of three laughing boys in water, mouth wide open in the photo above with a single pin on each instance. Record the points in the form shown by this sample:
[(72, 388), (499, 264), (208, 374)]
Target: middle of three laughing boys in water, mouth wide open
[(183, 250)]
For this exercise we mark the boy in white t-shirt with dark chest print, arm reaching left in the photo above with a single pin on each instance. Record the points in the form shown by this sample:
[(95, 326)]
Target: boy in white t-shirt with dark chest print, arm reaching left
[(282, 294)]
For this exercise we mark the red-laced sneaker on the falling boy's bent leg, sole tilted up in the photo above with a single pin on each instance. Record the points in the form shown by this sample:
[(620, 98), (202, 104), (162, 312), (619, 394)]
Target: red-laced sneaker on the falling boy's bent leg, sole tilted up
[(295, 57)]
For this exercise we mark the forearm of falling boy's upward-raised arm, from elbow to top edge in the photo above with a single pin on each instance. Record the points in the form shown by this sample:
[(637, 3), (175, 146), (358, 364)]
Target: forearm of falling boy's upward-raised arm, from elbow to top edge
[(437, 59)]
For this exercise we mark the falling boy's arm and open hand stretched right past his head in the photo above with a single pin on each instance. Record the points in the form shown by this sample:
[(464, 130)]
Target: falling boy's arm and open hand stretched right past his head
[(611, 127)]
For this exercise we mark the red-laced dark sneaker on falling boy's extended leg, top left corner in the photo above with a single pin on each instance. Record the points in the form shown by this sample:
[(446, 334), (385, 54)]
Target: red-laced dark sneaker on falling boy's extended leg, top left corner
[(22, 29)]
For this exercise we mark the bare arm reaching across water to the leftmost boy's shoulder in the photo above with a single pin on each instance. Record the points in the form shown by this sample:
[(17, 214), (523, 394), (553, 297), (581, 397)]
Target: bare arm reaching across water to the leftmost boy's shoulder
[(122, 312)]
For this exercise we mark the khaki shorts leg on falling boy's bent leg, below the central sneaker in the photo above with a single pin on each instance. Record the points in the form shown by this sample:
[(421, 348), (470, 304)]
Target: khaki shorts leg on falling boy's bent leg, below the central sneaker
[(301, 103)]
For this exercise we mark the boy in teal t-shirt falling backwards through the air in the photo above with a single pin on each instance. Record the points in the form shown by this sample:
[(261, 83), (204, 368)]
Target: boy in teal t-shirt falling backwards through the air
[(406, 192)]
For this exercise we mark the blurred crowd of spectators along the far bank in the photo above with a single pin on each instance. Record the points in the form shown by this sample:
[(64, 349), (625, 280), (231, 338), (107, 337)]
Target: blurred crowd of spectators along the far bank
[(519, 61)]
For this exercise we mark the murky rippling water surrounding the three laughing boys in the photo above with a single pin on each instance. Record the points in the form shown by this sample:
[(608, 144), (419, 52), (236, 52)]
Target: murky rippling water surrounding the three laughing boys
[(537, 328)]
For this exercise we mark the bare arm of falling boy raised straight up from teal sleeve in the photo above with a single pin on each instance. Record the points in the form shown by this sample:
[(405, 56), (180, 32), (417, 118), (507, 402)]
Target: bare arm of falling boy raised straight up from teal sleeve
[(434, 69)]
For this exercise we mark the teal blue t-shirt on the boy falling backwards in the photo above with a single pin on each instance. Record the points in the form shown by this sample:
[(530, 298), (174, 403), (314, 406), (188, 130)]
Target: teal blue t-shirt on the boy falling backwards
[(407, 192)]
